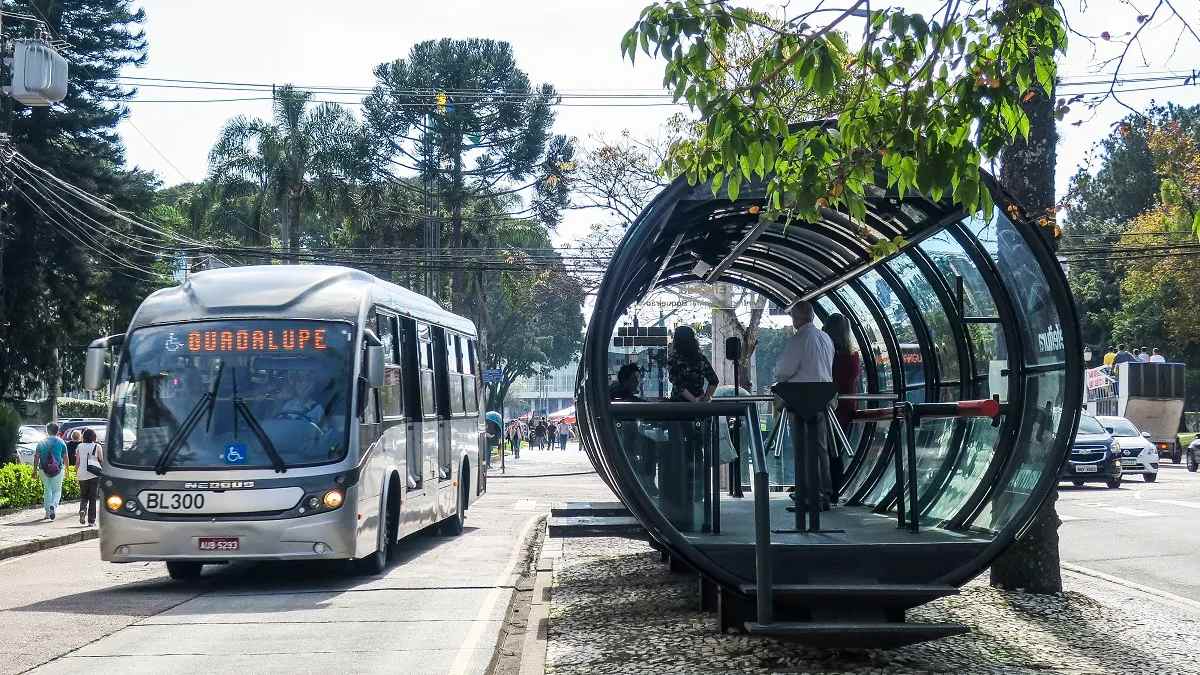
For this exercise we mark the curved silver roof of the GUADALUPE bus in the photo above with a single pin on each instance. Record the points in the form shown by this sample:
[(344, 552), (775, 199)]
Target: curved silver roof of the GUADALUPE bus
[(316, 292)]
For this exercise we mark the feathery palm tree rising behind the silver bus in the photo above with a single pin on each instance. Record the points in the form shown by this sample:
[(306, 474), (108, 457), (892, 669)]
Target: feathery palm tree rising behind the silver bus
[(304, 157)]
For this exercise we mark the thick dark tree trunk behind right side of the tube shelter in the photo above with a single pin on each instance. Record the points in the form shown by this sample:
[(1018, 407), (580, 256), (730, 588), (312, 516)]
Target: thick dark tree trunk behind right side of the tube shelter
[(1028, 172)]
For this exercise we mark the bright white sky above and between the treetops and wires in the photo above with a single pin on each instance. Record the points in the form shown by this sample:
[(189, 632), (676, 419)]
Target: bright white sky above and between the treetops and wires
[(571, 44)]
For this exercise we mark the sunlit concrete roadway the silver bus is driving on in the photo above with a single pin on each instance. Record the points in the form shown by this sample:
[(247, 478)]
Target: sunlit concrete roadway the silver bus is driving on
[(437, 610)]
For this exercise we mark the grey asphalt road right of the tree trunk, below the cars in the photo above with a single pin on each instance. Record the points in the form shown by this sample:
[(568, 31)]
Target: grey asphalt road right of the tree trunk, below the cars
[(1148, 534)]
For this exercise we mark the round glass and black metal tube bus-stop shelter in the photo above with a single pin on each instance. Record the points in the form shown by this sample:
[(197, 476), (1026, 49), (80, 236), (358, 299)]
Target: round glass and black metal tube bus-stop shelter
[(970, 309)]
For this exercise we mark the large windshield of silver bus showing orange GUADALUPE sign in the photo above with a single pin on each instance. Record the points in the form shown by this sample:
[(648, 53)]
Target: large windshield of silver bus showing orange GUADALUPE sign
[(233, 395)]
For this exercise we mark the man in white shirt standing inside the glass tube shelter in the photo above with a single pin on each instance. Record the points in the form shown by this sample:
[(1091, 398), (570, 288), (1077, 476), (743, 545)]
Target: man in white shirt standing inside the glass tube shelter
[(808, 357)]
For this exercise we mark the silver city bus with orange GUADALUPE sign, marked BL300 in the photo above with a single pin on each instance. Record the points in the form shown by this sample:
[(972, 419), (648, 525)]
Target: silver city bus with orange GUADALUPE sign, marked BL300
[(286, 413)]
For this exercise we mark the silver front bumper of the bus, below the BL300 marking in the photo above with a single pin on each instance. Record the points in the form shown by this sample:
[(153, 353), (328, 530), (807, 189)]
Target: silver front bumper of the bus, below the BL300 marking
[(323, 536)]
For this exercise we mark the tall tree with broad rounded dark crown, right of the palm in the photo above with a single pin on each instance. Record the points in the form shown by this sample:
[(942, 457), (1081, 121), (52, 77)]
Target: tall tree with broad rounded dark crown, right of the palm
[(466, 121)]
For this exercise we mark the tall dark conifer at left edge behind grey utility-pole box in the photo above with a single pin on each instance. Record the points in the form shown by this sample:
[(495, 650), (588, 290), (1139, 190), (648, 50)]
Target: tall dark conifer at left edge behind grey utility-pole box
[(55, 273)]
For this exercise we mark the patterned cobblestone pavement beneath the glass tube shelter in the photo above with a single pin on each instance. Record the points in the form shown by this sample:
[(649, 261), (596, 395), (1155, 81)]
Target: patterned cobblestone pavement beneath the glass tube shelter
[(616, 608)]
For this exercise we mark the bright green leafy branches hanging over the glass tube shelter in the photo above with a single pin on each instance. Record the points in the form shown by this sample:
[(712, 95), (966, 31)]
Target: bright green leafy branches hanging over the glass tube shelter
[(929, 99)]
